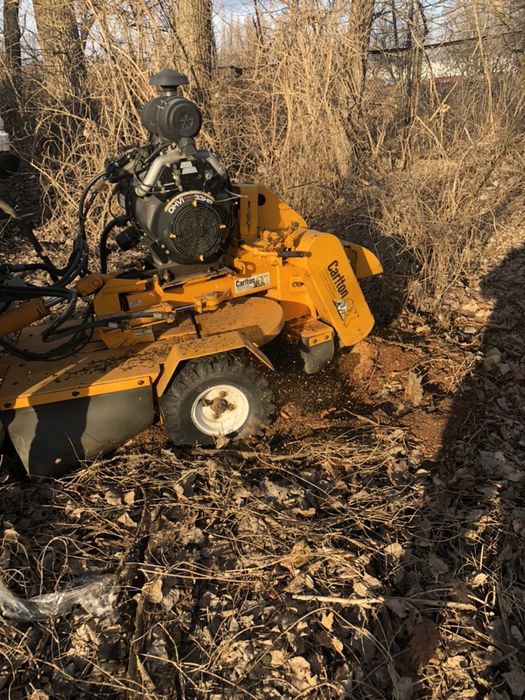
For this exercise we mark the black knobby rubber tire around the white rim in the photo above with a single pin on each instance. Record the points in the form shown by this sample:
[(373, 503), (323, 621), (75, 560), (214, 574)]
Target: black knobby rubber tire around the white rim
[(198, 375)]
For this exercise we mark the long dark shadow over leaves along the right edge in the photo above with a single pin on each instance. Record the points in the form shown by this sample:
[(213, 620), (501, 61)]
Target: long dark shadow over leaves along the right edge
[(467, 536)]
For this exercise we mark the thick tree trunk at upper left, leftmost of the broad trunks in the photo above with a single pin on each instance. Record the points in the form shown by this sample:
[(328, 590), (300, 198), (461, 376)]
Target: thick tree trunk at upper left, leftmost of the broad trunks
[(61, 49)]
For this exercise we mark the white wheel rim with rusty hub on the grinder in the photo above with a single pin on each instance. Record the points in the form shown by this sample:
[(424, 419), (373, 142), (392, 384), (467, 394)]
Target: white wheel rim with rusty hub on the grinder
[(220, 410)]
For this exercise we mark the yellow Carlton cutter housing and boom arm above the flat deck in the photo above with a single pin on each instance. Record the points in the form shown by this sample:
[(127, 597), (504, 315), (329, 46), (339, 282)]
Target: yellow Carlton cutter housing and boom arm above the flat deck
[(313, 276)]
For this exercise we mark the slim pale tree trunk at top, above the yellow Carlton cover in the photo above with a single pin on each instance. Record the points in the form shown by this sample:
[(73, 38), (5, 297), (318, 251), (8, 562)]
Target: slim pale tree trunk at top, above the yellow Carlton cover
[(359, 30)]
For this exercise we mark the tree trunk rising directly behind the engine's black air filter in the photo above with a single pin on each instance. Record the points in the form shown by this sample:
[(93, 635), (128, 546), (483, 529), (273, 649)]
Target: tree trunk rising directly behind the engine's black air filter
[(195, 42)]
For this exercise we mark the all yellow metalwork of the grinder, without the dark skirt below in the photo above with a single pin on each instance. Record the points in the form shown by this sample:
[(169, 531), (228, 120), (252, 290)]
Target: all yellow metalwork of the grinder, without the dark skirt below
[(278, 274)]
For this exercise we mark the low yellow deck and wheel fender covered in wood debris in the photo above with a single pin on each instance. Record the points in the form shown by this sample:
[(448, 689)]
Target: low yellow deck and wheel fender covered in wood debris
[(99, 370)]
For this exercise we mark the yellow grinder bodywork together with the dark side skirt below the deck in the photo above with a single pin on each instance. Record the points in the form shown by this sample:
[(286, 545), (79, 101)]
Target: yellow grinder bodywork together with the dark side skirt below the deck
[(278, 275)]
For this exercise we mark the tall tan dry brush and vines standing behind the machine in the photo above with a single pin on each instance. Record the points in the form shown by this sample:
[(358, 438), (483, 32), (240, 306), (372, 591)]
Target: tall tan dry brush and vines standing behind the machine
[(427, 197)]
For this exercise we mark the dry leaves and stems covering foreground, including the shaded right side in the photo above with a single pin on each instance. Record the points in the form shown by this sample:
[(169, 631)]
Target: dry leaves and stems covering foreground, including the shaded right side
[(338, 570)]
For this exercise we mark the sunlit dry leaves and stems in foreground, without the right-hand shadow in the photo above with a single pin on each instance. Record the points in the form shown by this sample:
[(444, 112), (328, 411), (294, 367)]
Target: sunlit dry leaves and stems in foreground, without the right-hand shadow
[(233, 541)]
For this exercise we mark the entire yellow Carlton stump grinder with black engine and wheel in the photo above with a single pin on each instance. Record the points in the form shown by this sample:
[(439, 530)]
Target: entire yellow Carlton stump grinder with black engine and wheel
[(176, 338)]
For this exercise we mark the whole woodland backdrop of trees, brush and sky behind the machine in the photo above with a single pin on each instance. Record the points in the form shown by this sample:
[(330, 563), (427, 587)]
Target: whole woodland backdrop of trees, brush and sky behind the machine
[(400, 119)]
